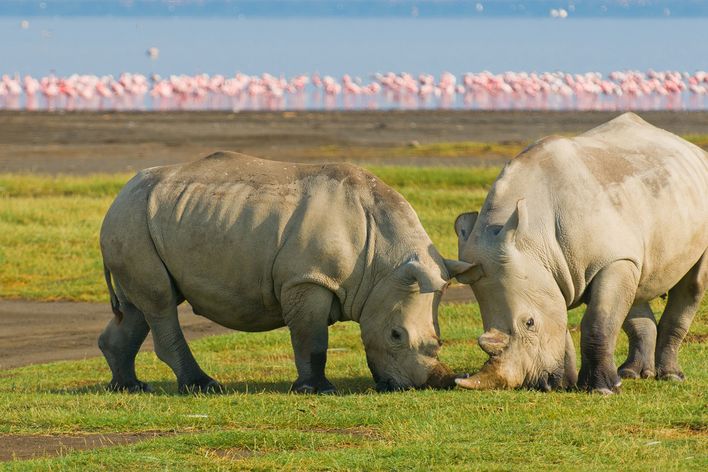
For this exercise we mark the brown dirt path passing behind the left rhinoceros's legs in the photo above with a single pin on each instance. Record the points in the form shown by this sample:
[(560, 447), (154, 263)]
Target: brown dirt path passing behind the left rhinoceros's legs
[(40, 332)]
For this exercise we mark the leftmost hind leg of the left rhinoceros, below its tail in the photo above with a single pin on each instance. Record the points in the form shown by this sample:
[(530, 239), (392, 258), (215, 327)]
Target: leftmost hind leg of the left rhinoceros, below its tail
[(120, 343)]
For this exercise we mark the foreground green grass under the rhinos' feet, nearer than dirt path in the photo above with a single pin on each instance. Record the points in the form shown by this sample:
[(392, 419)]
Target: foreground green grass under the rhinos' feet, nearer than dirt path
[(257, 425)]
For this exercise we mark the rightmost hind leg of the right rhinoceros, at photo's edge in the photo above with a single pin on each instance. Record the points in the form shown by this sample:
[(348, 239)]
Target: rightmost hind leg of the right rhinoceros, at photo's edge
[(684, 299)]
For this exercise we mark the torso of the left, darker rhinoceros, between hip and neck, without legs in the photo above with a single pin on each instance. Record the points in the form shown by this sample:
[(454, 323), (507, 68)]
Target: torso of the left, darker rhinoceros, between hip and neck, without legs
[(232, 229)]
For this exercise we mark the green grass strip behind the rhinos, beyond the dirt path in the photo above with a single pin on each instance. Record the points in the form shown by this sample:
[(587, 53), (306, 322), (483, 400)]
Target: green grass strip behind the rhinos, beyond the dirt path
[(49, 225)]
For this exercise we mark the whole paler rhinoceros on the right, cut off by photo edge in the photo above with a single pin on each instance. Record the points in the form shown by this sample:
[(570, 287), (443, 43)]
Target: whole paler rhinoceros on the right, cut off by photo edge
[(611, 218)]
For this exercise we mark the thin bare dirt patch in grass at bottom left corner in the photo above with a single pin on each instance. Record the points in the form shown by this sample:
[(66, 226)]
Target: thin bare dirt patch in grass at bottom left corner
[(33, 446)]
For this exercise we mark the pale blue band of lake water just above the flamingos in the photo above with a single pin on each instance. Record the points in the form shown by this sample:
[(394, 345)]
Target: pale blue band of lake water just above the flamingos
[(360, 47)]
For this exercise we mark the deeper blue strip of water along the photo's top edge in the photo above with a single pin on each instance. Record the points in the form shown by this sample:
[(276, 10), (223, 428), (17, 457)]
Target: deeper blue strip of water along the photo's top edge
[(354, 9)]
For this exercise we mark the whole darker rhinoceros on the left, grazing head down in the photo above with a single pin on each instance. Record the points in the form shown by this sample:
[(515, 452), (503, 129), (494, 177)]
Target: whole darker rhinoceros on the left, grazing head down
[(255, 245)]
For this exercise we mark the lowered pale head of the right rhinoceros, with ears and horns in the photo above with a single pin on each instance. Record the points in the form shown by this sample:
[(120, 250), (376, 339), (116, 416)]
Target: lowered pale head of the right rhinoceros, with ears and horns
[(523, 310)]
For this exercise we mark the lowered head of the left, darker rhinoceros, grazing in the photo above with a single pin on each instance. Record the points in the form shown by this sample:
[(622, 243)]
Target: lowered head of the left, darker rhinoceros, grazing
[(399, 327)]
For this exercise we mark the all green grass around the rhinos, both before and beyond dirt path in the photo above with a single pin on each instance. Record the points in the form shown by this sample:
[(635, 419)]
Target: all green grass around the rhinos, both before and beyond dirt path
[(48, 250)]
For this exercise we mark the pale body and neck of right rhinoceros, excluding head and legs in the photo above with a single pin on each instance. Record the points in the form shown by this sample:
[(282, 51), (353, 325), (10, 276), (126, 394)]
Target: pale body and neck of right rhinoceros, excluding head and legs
[(624, 190)]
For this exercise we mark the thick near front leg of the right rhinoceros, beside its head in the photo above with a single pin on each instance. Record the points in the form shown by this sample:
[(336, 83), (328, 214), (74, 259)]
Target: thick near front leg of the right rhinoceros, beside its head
[(612, 293)]
